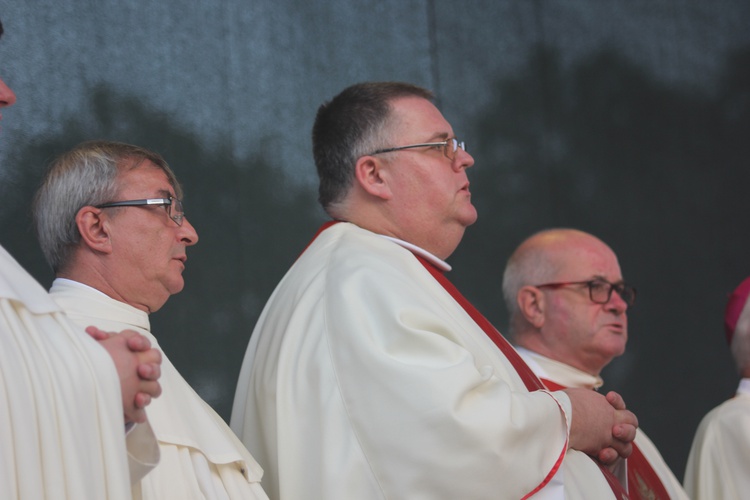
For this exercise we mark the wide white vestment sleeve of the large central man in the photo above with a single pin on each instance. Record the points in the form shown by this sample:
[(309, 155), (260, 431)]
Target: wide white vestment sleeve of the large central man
[(422, 384)]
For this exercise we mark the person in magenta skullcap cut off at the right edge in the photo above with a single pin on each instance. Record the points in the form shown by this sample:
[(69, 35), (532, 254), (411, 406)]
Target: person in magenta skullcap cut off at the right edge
[(717, 466)]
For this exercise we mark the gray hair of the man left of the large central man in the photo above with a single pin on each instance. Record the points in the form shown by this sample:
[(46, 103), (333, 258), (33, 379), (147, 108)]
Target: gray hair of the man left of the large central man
[(83, 176)]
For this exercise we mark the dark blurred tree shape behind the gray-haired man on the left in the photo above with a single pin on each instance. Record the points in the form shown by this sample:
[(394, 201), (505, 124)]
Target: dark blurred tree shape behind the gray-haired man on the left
[(252, 222)]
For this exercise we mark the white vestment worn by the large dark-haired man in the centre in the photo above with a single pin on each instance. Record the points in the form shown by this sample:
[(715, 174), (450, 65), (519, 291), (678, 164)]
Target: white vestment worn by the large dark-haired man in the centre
[(365, 379)]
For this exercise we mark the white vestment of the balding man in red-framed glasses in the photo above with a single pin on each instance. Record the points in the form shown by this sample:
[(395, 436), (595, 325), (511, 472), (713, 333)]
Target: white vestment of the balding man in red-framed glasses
[(568, 376)]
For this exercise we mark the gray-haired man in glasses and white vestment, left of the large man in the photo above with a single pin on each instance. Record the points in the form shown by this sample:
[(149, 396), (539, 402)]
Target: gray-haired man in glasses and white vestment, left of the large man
[(111, 225)]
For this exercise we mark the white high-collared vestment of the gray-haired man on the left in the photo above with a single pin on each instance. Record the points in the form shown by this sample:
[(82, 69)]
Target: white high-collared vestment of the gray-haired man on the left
[(201, 458)]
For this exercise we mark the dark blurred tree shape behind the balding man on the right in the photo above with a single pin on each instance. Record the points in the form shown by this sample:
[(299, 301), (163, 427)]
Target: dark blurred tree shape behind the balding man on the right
[(659, 172)]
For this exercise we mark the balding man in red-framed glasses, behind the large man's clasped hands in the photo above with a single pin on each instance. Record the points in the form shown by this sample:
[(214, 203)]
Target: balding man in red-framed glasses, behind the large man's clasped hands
[(568, 309)]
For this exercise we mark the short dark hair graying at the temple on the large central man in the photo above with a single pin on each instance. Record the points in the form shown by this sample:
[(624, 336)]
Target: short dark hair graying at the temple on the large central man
[(353, 124)]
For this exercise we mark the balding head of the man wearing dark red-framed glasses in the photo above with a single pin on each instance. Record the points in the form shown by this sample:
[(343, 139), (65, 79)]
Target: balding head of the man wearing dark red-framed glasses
[(562, 322)]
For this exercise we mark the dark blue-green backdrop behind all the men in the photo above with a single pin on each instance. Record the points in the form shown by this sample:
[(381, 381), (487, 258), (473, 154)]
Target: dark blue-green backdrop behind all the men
[(627, 119)]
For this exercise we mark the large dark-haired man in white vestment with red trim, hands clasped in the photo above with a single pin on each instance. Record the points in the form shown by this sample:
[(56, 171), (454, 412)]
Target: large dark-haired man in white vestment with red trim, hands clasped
[(368, 375)]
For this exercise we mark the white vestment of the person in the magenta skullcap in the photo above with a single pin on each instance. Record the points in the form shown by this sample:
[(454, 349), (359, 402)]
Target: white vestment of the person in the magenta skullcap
[(719, 462)]
